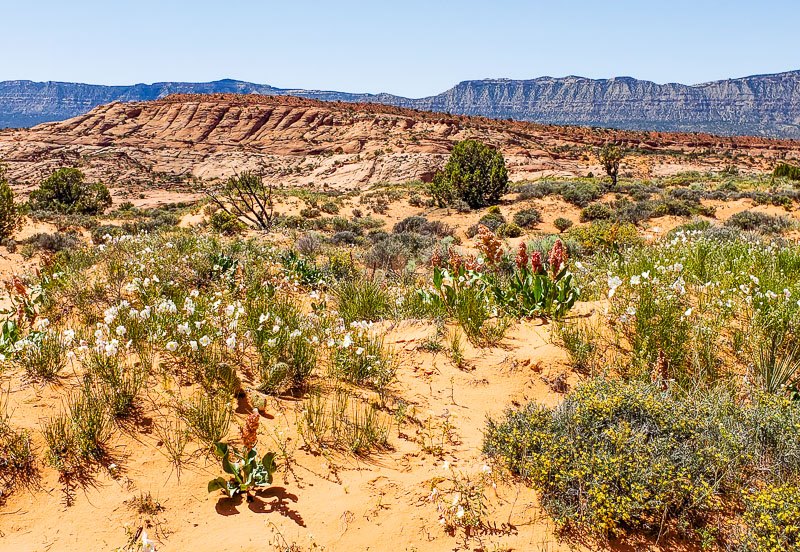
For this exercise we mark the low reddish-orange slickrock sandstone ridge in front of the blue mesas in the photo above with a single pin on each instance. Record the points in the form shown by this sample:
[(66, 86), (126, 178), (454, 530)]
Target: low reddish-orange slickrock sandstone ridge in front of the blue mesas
[(295, 141)]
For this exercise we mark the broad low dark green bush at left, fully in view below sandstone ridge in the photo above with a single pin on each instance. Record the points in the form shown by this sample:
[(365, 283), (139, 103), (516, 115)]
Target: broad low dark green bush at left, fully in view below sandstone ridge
[(66, 191)]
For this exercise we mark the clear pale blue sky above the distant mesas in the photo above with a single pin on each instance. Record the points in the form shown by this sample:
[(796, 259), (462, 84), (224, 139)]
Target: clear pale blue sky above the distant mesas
[(412, 48)]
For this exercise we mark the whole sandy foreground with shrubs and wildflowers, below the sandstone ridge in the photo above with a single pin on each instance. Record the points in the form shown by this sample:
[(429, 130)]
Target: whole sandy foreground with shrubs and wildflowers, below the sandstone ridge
[(471, 364)]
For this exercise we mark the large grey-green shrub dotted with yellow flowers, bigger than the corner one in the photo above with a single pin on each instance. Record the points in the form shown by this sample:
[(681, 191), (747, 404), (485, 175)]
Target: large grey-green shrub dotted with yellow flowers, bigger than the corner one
[(616, 456)]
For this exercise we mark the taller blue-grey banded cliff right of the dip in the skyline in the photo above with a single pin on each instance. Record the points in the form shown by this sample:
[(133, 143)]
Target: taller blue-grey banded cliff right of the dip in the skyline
[(762, 105)]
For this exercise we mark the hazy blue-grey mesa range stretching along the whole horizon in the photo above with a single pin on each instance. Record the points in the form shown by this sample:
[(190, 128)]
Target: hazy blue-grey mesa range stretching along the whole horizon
[(760, 105)]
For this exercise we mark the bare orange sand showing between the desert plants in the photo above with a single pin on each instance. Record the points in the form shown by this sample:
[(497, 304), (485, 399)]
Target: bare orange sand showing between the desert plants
[(329, 501)]
